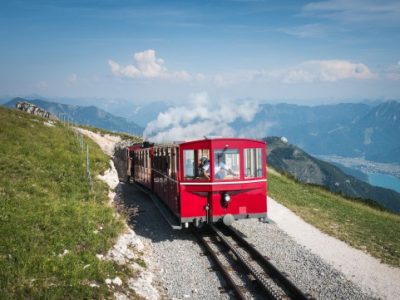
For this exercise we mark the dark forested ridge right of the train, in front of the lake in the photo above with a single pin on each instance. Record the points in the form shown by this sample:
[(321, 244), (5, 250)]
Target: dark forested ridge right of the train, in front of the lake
[(292, 160)]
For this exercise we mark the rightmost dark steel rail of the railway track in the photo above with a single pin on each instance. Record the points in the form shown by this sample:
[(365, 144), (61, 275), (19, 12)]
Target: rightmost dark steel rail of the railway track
[(290, 288)]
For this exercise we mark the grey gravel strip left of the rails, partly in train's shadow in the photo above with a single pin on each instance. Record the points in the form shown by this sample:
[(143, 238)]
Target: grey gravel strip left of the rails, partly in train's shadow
[(183, 270)]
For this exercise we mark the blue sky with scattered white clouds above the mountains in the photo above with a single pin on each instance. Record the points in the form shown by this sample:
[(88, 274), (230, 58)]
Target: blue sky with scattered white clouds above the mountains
[(142, 51)]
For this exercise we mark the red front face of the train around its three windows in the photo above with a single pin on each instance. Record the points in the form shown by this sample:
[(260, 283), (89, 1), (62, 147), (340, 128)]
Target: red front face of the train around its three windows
[(247, 197)]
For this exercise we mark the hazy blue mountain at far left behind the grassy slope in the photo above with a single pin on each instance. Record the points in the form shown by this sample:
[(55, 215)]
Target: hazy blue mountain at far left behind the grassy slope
[(85, 115)]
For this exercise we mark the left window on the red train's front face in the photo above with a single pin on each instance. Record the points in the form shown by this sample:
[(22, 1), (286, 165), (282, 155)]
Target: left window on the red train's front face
[(196, 164)]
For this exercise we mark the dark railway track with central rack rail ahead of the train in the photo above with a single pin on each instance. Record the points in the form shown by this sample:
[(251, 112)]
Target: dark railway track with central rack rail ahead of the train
[(248, 273)]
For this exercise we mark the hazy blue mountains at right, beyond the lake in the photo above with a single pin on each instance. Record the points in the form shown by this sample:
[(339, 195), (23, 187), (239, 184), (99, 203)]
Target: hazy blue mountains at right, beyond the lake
[(350, 130)]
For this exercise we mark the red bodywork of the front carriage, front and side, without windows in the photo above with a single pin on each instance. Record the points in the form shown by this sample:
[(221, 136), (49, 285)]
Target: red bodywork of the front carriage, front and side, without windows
[(189, 198)]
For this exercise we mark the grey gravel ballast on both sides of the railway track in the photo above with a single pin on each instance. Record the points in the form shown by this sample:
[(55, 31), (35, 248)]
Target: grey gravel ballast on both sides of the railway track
[(185, 272)]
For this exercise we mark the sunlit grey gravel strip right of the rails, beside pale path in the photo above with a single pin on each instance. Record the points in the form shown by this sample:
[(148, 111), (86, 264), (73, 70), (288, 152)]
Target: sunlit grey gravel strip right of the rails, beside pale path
[(306, 270)]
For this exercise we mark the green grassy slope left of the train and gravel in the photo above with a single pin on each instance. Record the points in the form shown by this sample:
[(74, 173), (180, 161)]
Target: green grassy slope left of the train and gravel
[(46, 208)]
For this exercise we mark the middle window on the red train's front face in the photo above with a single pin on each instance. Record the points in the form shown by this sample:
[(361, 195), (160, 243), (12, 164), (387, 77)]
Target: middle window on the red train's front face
[(226, 164)]
